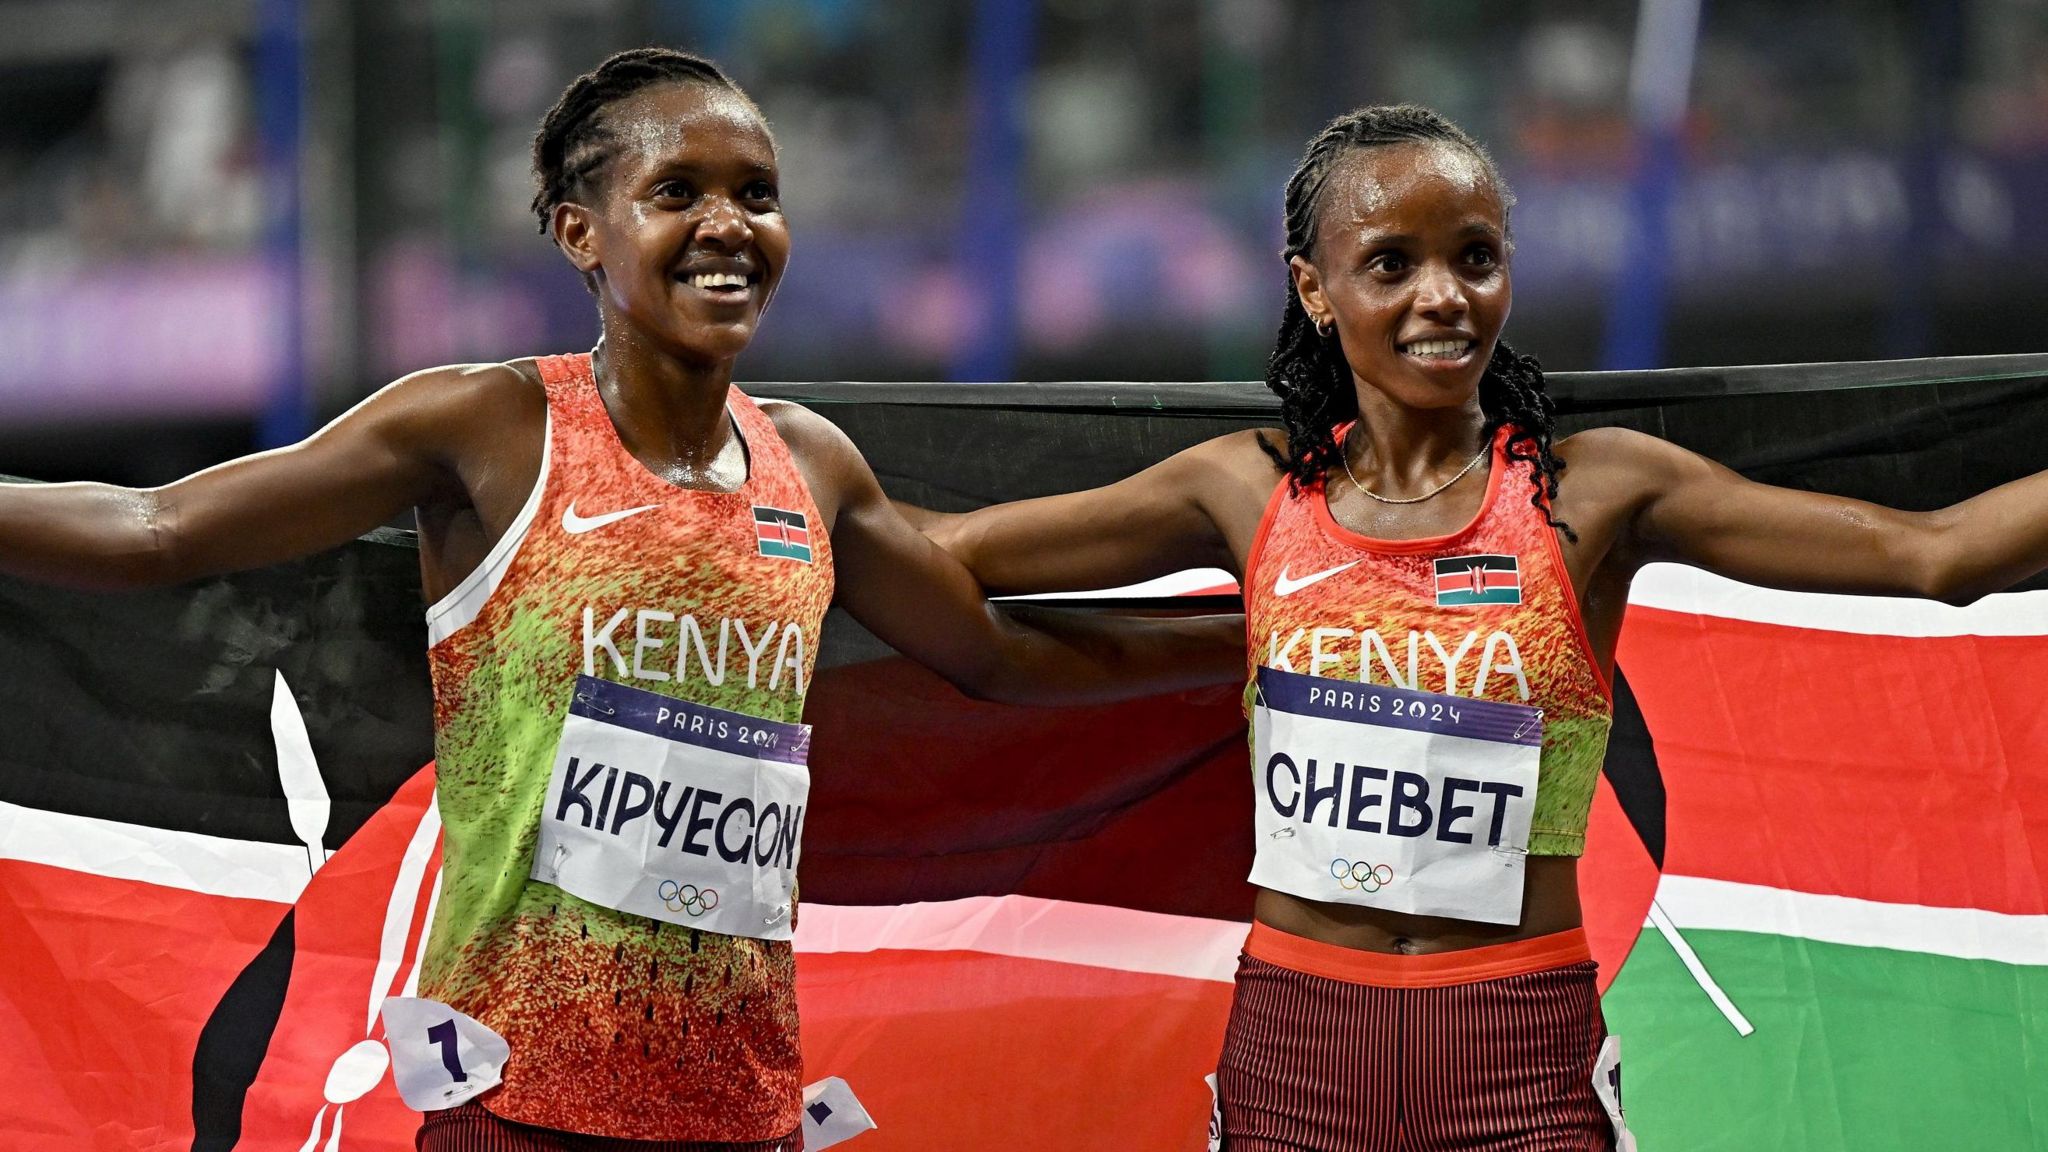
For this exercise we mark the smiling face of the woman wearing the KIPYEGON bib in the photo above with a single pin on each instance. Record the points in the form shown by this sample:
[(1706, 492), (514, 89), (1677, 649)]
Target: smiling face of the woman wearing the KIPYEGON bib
[(681, 229)]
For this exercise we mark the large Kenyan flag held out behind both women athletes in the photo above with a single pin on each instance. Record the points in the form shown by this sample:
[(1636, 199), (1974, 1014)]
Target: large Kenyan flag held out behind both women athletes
[(218, 852)]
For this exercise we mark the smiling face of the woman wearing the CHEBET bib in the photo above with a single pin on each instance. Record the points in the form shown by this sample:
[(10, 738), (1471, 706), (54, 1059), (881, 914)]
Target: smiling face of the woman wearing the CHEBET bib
[(1410, 265)]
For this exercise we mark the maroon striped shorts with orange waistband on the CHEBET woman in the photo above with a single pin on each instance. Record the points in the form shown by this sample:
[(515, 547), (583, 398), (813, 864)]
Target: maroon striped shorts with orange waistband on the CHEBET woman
[(1342, 1051)]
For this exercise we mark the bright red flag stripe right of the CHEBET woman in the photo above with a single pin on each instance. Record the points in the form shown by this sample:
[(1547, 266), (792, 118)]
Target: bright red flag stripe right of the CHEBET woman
[(1881, 768)]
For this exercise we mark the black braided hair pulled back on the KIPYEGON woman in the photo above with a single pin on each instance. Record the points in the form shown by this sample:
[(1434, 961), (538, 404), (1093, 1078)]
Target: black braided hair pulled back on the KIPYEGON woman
[(577, 142)]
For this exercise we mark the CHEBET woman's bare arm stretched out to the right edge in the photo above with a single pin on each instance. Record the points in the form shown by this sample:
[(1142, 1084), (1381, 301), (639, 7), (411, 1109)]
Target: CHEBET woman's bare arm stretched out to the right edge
[(1697, 511)]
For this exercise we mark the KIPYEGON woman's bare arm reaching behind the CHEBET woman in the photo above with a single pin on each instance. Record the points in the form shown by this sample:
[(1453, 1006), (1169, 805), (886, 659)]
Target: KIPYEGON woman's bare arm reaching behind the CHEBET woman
[(923, 602)]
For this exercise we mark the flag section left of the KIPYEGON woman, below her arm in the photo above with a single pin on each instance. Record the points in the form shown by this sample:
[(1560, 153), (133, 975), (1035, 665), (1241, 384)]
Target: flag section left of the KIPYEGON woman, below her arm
[(216, 856)]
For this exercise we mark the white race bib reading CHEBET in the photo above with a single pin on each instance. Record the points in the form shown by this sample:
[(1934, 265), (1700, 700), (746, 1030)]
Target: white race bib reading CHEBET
[(1394, 798)]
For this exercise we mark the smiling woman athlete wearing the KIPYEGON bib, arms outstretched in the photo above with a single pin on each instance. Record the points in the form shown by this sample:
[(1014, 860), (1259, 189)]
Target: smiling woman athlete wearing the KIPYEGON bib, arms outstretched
[(630, 565)]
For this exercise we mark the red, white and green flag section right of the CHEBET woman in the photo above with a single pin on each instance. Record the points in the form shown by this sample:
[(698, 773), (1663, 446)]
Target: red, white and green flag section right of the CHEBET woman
[(1850, 938)]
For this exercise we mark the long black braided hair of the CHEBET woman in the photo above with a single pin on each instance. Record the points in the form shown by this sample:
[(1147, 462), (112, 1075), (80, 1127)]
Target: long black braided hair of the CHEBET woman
[(1308, 368)]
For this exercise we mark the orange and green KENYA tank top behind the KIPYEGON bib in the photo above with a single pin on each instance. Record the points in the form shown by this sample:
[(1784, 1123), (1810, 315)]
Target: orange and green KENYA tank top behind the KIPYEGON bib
[(620, 1026)]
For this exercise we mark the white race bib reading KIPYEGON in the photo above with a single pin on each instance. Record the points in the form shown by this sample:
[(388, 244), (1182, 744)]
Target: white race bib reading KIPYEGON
[(677, 811)]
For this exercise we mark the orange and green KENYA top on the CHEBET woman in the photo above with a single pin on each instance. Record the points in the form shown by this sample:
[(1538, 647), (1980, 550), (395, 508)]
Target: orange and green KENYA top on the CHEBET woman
[(1486, 612)]
